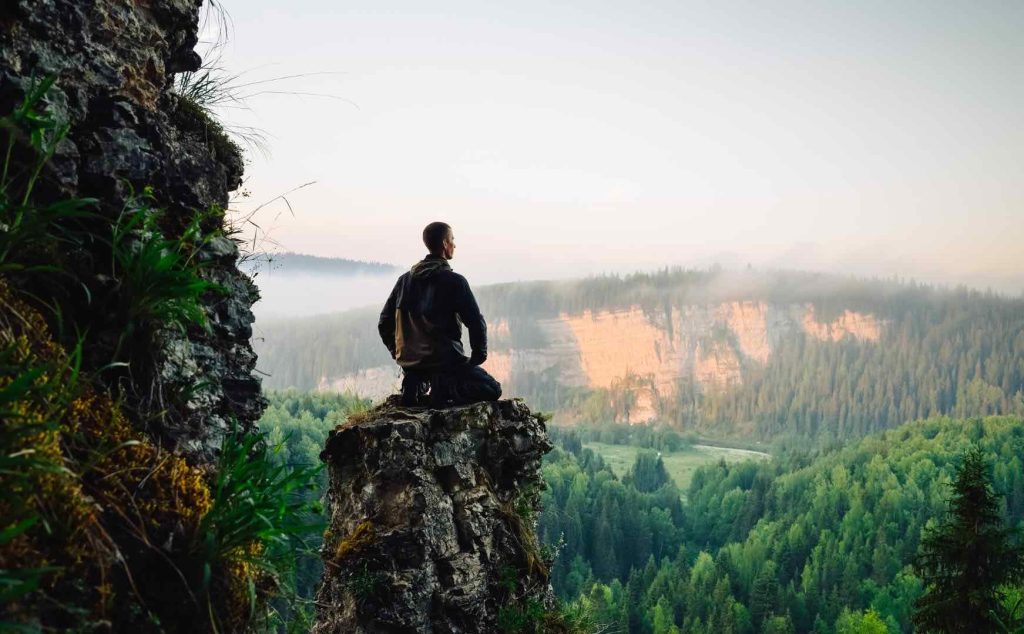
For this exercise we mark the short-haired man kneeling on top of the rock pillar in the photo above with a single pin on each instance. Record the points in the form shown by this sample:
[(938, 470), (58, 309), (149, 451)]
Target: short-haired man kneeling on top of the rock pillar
[(421, 327)]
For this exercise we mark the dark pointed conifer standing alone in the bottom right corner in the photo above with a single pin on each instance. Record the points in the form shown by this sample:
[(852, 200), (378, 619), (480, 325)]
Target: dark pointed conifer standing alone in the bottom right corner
[(967, 560)]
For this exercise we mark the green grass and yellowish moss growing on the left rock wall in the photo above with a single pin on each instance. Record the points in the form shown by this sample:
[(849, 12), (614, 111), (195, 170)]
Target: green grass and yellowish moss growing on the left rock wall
[(102, 526)]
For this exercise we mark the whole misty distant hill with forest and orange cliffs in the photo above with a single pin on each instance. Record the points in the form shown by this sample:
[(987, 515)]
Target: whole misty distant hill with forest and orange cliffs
[(742, 355)]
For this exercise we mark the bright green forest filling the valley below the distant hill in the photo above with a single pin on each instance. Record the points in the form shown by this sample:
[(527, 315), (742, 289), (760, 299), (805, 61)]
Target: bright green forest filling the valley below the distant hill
[(821, 542)]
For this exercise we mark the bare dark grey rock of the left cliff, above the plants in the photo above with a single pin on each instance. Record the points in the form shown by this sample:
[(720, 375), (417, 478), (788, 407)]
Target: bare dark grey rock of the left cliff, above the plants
[(114, 62)]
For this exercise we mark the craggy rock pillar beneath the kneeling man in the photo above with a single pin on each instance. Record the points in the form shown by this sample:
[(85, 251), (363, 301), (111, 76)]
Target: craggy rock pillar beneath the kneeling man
[(432, 520)]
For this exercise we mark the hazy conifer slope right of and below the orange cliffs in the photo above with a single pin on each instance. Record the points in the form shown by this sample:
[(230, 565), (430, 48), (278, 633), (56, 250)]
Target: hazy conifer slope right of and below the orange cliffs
[(960, 355)]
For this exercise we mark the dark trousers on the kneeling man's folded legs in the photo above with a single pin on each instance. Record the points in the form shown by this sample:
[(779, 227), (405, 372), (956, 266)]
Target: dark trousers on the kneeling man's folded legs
[(459, 386)]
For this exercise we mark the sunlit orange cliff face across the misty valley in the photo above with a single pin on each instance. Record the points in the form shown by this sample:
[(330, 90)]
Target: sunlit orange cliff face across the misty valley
[(712, 345)]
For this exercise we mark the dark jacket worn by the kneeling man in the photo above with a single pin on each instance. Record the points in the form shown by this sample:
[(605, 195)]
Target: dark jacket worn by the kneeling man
[(421, 324)]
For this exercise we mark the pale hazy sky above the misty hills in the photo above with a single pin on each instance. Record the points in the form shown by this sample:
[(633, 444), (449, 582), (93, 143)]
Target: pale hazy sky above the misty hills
[(563, 139)]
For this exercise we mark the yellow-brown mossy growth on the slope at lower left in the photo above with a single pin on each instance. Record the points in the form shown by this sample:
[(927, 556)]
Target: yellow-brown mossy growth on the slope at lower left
[(80, 490)]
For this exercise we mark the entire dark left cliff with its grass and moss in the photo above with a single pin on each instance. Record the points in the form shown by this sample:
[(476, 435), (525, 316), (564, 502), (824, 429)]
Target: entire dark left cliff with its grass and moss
[(124, 327)]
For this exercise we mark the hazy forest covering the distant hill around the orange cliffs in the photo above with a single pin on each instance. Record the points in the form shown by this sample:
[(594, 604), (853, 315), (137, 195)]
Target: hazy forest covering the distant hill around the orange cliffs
[(955, 353)]
